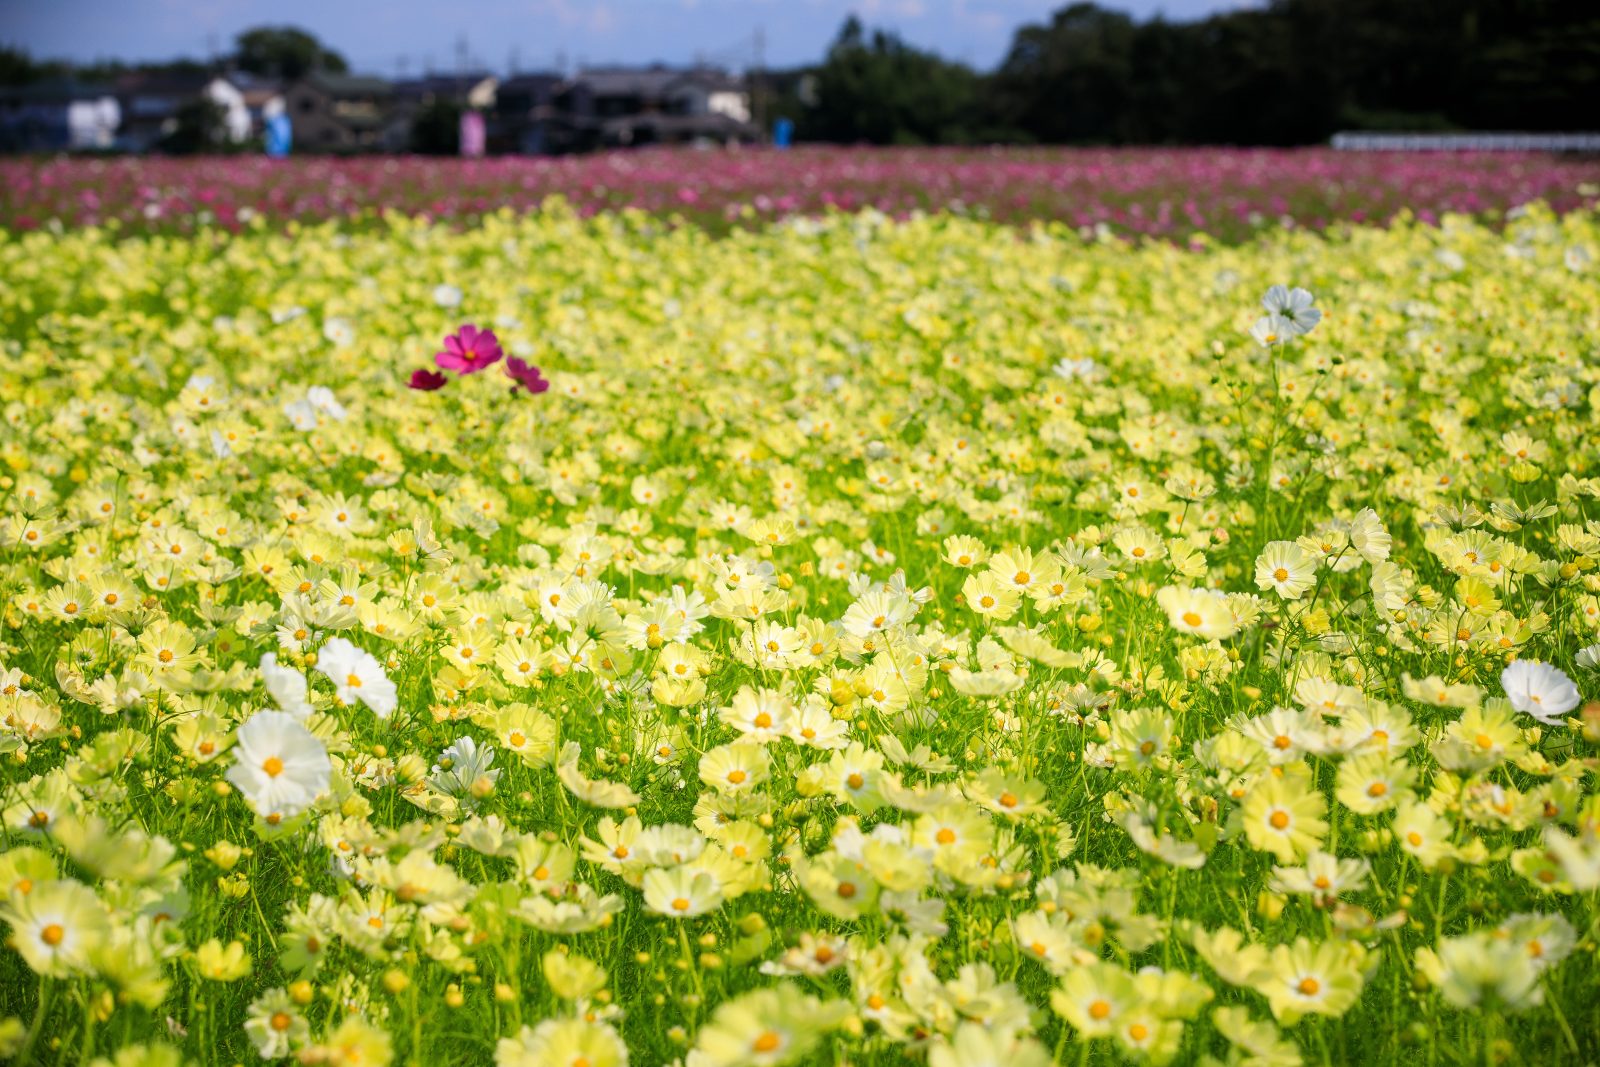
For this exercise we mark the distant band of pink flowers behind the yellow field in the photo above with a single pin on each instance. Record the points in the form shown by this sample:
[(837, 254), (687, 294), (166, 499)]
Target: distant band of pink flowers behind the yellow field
[(1135, 191)]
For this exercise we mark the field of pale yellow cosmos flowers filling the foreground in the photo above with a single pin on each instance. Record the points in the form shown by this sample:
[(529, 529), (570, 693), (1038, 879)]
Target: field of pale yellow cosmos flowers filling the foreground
[(575, 641)]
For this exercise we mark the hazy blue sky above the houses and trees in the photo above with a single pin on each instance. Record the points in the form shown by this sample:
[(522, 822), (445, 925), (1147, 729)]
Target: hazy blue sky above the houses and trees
[(380, 36)]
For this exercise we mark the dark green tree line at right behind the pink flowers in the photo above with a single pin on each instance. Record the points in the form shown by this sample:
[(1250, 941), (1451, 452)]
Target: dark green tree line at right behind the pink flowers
[(1290, 73)]
